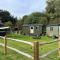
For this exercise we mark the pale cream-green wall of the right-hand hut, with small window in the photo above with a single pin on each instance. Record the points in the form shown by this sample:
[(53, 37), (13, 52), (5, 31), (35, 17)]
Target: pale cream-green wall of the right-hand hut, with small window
[(52, 31)]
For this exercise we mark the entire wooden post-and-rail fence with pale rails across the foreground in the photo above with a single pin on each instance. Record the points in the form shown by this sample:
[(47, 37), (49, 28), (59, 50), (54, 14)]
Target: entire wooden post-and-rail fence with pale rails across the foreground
[(35, 46)]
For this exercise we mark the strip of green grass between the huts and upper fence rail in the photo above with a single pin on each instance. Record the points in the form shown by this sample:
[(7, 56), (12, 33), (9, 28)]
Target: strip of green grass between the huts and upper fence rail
[(29, 38)]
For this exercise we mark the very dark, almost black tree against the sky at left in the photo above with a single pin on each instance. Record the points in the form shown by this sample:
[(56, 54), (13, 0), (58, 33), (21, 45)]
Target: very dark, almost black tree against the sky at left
[(5, 16)]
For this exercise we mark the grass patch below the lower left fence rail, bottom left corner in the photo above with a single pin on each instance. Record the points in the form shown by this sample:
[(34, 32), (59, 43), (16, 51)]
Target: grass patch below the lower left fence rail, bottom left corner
[(11, 55)]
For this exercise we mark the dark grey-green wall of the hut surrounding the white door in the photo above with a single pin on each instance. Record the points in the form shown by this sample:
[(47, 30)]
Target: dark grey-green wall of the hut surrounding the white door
[(37, 30)]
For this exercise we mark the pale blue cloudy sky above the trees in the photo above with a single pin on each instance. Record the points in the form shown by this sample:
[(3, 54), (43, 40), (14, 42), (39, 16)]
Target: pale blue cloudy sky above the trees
[(20, 8)]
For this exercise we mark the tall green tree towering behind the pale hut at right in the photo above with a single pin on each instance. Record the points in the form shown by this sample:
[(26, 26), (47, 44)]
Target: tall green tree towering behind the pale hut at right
[(53, 11)]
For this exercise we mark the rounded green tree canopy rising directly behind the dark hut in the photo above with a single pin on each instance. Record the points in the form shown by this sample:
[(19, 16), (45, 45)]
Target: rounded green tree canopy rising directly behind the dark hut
[(35, 18)]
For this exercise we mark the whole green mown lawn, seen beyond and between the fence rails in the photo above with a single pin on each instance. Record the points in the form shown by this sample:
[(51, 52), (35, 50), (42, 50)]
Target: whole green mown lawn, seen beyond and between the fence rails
[(28, 49)]
